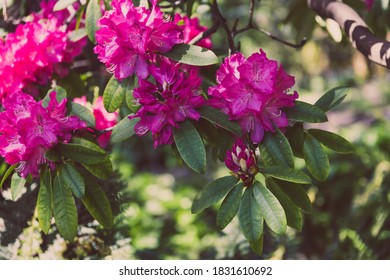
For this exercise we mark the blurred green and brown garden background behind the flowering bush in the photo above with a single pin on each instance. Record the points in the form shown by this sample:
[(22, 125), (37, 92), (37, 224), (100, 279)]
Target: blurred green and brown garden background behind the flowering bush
[(151, 192)]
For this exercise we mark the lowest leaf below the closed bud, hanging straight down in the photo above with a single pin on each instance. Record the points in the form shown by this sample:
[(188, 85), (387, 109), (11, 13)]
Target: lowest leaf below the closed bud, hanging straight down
[(250, 216)]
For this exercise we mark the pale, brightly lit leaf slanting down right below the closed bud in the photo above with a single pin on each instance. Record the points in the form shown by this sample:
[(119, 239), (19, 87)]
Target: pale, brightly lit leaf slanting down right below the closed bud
[(271, 209)]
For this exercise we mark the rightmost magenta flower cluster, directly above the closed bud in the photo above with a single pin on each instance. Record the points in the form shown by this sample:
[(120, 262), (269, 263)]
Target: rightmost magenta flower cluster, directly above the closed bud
[(253, 91)]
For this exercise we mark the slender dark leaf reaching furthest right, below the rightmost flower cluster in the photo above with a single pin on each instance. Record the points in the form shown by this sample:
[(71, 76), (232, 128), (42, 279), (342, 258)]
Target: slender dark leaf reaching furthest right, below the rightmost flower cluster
[(332, 141)]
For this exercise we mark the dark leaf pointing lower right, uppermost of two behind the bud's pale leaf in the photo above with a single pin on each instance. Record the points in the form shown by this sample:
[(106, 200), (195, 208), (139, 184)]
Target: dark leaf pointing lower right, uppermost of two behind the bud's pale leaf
[(297, 194)]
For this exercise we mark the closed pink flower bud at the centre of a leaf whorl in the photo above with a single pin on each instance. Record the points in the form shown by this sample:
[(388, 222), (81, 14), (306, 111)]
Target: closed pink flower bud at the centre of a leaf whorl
[(242, 162)]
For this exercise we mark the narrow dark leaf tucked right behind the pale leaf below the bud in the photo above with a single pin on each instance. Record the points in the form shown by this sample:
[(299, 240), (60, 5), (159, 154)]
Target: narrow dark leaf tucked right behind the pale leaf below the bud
[(293, 214)]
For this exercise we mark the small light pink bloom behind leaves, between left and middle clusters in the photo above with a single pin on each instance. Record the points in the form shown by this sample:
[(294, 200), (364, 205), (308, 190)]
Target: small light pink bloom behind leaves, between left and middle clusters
[(103, 118)]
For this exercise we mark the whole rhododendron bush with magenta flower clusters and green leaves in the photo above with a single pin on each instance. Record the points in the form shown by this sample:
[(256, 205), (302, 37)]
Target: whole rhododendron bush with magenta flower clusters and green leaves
[(166, 81)]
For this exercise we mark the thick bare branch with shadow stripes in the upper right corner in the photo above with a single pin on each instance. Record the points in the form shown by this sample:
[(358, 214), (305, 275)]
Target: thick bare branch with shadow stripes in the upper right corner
[(374, 48)]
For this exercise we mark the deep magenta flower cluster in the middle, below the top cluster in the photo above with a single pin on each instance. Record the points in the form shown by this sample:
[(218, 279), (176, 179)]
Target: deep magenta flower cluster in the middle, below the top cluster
[(171, 99)]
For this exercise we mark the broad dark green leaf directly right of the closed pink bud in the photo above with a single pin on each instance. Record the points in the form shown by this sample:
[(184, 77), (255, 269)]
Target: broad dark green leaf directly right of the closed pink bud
[(275, 149)]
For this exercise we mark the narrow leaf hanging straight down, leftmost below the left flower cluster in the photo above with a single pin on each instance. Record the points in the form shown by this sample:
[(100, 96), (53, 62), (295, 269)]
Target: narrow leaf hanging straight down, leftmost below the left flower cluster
[(45, 201)]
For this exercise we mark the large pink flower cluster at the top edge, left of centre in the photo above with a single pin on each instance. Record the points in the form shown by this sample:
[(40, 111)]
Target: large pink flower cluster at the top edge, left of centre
[(129, 38)]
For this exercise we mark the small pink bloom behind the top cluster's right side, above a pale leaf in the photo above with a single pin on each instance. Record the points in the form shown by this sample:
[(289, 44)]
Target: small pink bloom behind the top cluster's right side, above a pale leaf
[(191, 29)]
